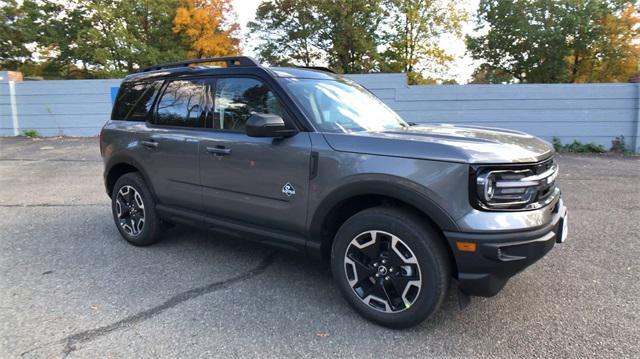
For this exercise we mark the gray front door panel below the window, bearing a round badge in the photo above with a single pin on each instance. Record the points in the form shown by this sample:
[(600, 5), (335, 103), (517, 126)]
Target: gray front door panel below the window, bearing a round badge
[(247, 184)]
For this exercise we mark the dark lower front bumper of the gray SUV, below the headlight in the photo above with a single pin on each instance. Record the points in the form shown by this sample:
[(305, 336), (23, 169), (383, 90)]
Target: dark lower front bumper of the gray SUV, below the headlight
[(501, 255)]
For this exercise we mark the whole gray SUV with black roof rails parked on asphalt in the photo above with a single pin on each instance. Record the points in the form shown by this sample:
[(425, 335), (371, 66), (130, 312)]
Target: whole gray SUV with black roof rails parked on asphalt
[(309, 161)]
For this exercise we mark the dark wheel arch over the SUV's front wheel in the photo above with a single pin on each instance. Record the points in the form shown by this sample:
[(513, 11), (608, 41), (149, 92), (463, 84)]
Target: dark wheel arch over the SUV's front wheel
[(352, 198)]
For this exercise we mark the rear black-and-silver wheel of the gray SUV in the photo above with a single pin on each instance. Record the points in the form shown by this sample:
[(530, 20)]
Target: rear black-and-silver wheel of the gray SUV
[(133, 210)]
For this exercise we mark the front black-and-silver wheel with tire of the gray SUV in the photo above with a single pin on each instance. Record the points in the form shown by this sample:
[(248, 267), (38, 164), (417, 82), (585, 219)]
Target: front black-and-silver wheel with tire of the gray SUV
[(390, 266)]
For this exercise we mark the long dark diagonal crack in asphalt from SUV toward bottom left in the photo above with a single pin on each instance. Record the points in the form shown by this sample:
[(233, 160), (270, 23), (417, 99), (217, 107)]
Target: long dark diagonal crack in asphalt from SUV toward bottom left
[(71, 342)]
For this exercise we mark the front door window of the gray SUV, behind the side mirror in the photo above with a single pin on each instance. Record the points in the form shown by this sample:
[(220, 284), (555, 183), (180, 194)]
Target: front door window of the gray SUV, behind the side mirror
[(237, 98)]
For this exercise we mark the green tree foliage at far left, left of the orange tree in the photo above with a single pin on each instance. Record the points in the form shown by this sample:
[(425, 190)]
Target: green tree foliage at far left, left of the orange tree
[(94, 38)]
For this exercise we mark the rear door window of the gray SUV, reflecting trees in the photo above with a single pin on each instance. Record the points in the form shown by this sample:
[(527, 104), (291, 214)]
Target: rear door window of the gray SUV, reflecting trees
[(181, 104)]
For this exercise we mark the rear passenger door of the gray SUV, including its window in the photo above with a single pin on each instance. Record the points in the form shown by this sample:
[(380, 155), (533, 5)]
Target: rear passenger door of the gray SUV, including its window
[(172, 142)]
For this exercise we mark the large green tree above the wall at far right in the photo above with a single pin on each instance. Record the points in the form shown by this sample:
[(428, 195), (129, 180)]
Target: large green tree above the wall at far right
[(539, 40)]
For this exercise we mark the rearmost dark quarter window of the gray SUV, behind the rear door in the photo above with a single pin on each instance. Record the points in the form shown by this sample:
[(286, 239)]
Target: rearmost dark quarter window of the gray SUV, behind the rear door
[(134, 101)]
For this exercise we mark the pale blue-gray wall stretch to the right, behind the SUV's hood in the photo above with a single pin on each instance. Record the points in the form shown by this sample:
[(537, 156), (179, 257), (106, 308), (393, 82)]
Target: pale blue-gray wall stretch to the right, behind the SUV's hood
[(584, 112)]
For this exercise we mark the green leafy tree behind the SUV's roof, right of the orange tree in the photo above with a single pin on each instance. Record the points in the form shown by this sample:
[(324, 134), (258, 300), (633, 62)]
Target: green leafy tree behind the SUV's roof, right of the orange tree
[(343, 34)]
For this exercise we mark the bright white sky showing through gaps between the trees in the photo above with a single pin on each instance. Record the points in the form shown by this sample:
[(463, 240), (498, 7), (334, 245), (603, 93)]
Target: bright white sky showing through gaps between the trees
[(462, 67)]
